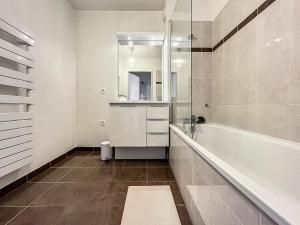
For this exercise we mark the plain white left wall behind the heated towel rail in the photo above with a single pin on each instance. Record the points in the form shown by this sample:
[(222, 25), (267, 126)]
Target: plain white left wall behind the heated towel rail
[(52, 24)]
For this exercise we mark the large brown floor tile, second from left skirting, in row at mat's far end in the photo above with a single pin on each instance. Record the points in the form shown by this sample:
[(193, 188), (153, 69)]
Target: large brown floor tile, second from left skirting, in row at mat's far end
[(86, 195)]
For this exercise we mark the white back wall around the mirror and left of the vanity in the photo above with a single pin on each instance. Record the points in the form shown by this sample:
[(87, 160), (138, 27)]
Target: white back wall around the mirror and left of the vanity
[(97, 67)]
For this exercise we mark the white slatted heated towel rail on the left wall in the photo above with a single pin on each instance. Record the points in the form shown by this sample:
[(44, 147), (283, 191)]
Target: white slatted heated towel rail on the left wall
[(16, 126)]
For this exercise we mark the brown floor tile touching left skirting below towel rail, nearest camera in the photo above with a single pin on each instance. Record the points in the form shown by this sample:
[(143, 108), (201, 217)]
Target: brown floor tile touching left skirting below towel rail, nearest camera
[(25, 194)]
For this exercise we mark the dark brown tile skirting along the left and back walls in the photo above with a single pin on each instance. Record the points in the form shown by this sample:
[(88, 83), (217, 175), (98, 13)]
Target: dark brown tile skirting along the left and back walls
[(10, 187)]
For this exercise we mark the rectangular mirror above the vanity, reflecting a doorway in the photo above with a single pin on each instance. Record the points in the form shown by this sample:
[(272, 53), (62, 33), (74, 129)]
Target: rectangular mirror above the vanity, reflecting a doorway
[(140, 67)]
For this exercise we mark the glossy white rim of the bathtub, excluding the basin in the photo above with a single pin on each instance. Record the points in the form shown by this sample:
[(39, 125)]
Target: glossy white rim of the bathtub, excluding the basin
[(282, 211)]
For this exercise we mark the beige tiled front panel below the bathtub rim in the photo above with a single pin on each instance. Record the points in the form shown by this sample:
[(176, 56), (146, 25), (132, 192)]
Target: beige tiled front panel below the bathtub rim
[(210, 198)]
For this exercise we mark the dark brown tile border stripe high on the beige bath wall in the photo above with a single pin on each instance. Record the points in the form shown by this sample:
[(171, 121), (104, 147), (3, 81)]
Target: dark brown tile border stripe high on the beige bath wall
[(235, 30)]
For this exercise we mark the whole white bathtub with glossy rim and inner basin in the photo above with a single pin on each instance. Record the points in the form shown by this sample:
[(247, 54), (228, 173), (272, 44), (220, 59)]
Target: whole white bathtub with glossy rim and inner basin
[(265, 169)]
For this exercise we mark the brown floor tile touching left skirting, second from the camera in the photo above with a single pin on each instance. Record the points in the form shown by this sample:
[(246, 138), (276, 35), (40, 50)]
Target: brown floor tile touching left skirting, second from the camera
[(51, 175)]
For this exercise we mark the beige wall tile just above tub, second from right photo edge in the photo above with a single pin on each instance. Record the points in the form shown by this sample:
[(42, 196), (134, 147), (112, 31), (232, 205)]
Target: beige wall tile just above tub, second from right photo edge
[(273, 120)]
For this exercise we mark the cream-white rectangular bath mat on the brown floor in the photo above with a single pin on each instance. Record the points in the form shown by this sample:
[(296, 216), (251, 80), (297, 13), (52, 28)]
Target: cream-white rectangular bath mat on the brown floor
[(150, 205)]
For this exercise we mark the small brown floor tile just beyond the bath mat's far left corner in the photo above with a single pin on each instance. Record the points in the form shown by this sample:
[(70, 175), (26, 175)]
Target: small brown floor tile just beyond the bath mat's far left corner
[(133, 174)]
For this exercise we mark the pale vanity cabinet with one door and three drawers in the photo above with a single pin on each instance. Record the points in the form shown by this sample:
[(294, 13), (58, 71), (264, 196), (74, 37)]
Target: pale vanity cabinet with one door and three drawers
[(139, 125)]
